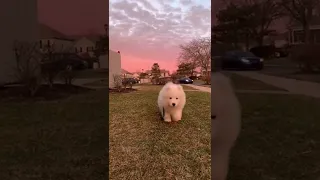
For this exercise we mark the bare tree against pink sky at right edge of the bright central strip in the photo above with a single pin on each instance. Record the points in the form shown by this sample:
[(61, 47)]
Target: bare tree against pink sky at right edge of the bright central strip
[(198, 51)]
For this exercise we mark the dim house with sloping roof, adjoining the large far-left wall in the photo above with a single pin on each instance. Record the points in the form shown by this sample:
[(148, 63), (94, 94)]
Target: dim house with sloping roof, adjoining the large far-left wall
[(50, 37)]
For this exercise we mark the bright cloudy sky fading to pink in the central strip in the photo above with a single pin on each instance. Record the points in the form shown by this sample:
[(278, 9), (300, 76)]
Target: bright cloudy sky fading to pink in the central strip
[(147, 32)]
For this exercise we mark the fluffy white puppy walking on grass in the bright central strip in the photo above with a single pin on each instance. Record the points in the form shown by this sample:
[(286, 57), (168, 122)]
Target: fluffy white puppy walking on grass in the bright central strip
[(171, 101)]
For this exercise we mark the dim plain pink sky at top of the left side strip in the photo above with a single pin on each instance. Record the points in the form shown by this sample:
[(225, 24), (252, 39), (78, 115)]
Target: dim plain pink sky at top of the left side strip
[(74, 16)]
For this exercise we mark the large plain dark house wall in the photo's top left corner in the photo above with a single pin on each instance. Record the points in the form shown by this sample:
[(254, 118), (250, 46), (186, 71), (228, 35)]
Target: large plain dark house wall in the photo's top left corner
[(19, 21)]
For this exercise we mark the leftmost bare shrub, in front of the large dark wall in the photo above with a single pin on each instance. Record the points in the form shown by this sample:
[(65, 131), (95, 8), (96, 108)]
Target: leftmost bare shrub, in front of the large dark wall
[(28, 61)]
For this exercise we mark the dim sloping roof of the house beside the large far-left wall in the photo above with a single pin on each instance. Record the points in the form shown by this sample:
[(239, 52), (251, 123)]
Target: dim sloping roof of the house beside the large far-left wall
[(46, 32)]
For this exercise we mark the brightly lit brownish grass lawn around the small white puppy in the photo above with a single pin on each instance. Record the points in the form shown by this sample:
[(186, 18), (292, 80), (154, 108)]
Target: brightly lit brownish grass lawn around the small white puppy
[(144, 147)]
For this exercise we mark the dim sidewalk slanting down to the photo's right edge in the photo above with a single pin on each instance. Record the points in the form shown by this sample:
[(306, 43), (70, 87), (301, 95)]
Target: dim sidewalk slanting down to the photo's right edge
[(292, 85)]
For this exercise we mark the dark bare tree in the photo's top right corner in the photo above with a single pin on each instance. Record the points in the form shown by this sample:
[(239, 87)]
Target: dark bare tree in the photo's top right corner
[(301, 11)]
